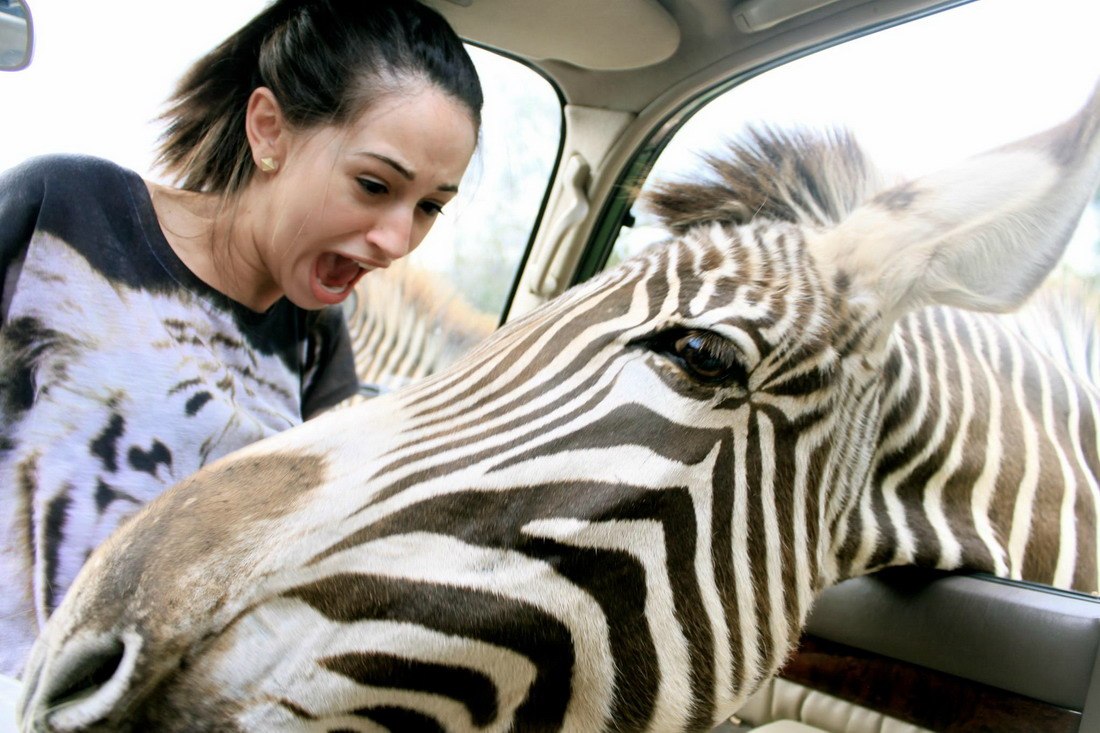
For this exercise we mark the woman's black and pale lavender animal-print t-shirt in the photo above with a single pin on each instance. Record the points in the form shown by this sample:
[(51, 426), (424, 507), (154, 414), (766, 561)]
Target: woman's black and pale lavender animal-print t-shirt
[(122, 374)]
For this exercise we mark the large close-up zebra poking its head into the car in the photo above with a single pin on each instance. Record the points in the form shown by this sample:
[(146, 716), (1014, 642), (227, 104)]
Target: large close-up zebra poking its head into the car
[(617, 512)]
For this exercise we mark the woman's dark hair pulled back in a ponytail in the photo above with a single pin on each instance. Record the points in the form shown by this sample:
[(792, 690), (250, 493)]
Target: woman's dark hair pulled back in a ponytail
[(326, 61)]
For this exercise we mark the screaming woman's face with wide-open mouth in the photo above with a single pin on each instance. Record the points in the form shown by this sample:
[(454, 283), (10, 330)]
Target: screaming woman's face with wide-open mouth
[(354, 199)]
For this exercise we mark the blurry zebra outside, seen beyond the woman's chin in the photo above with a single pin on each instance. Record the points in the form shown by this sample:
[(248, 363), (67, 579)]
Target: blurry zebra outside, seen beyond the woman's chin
[(406, 323)]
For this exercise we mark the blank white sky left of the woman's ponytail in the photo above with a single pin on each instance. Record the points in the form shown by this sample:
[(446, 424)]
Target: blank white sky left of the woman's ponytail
[(102, 72)]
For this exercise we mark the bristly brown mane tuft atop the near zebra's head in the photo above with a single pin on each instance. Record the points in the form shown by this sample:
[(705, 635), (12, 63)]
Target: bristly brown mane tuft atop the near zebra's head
[(805, 177)]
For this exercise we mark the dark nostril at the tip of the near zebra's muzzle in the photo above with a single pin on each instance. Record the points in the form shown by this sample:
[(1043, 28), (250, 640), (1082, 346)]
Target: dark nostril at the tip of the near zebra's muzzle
[(87, 681)]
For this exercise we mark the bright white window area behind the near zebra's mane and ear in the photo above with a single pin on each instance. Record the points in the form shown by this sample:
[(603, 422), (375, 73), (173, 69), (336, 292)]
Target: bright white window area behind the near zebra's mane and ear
[(919, 96)]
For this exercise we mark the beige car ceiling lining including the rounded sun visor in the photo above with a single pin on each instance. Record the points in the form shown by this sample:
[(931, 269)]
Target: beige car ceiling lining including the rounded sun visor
[(634, 52)]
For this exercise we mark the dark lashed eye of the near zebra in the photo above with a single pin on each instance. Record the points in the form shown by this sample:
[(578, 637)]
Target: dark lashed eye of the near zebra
[(703, 356)]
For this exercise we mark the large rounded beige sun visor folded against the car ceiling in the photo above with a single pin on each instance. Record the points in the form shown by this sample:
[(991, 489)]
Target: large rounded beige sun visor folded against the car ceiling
[(606, 36)]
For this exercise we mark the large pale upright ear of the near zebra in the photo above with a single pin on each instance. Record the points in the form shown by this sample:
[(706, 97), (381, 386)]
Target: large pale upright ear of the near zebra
[(981, 236)]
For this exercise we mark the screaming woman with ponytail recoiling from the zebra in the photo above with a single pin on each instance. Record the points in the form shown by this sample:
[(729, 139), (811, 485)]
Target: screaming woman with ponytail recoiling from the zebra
[(148, 330)]
